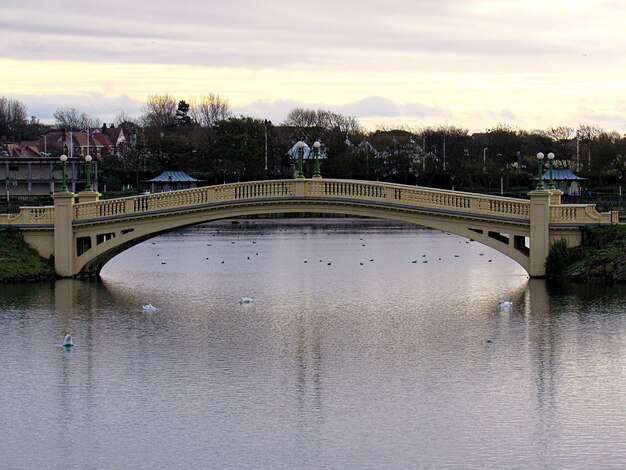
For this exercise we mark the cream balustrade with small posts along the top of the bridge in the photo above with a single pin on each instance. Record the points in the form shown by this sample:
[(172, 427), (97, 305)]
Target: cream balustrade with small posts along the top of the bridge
[(417, 197)]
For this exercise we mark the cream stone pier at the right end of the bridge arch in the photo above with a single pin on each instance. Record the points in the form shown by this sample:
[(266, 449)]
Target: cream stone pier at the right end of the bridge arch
[(540, 202)]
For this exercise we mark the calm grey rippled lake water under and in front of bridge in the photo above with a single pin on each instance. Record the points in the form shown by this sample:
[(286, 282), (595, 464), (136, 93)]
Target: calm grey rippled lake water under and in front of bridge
[(364, 346)]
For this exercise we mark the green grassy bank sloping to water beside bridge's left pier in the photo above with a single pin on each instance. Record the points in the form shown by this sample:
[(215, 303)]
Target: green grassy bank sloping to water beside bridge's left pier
[(19, 262)]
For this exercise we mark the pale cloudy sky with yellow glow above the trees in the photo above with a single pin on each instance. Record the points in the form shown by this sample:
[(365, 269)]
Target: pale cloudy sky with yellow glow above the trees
[(473, 64)]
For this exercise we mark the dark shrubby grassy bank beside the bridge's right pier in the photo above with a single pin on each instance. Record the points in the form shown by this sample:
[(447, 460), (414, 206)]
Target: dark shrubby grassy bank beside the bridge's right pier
[(600, 258)]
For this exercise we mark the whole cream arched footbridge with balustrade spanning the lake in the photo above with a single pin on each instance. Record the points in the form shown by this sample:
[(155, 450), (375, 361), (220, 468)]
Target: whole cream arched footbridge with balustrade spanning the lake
[(82, 236)]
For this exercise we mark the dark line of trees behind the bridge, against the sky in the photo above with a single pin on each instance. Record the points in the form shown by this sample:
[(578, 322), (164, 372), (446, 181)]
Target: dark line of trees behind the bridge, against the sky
[(203, 137)]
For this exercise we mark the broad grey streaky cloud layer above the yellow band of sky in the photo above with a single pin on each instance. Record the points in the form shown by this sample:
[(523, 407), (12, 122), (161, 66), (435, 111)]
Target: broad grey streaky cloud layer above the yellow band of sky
[(250, 34)]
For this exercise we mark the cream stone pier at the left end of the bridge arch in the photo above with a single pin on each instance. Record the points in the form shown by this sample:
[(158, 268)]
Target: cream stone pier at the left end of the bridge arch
[(64, 234)]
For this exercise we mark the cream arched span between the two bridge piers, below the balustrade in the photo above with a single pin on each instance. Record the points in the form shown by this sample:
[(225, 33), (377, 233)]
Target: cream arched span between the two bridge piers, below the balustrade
[(97, 242)]
